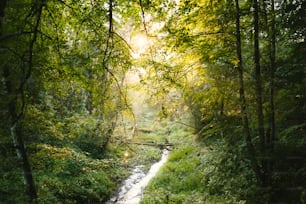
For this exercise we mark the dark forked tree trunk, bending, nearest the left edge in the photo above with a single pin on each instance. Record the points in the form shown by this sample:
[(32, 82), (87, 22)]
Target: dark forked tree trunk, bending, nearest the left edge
[(15, 94)]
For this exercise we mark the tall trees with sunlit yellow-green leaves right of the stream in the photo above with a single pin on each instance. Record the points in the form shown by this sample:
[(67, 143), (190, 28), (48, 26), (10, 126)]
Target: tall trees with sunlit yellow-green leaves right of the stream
[(212, 30)]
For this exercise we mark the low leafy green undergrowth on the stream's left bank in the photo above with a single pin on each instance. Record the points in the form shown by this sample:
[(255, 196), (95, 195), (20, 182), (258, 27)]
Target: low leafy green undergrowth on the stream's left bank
[(66, 175)]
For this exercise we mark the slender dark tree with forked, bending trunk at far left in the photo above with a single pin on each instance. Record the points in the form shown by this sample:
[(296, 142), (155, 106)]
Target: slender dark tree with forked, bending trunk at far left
[(15, 92)]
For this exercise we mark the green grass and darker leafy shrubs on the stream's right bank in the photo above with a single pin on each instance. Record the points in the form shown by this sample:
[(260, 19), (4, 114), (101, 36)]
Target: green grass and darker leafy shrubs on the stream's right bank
[(197, 173)]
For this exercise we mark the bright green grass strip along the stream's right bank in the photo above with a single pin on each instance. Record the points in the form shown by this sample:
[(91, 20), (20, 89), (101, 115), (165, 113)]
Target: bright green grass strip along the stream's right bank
[(190, 174)]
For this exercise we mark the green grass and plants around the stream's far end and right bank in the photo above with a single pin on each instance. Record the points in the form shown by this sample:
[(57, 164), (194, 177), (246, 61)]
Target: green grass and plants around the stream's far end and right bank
[(193, 173)]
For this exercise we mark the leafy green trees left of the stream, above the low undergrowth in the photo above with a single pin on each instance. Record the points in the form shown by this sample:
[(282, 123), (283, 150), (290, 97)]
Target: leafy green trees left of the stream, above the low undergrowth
[(61, 63)]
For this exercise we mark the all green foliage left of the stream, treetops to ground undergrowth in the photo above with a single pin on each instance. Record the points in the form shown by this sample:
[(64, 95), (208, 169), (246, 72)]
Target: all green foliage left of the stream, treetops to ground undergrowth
[(61, 87)]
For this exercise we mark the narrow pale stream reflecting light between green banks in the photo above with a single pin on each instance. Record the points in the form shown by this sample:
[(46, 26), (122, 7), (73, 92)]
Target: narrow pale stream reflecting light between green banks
[(132, 188)]
